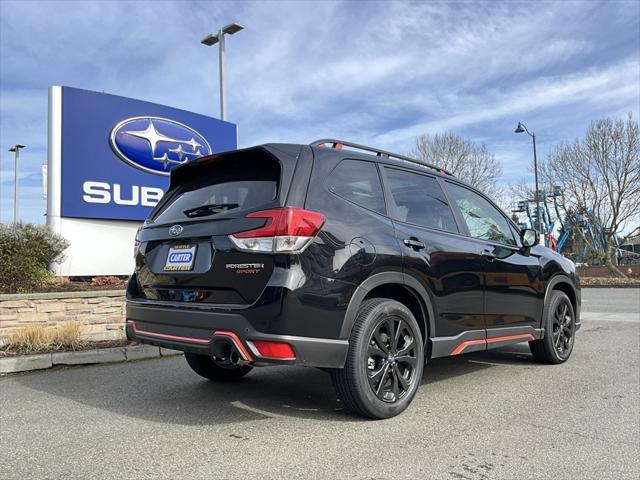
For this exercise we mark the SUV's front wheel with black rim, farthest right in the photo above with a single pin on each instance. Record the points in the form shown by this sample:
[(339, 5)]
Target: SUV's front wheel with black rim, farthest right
[(559, 331)]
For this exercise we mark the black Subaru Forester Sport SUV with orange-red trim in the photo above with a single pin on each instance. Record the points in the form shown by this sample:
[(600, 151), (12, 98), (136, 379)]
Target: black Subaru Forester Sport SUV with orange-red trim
[(340, 256)]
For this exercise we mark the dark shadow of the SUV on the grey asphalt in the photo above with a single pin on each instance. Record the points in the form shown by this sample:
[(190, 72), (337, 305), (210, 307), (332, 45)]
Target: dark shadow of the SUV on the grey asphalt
[(167, 391)]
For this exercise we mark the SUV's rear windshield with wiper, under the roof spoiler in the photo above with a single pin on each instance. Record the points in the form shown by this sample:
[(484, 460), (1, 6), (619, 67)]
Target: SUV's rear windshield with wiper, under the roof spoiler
[(221, 186)]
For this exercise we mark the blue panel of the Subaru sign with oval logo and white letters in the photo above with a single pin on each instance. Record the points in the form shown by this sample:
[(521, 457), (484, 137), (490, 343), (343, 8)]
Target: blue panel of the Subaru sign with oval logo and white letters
[(117, 152)]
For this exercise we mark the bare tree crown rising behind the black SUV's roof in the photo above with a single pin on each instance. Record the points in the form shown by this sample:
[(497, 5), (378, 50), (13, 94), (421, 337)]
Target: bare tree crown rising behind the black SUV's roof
[(469, 161)]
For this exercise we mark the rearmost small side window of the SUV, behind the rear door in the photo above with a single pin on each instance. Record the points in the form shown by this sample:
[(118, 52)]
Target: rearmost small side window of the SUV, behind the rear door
[(358, 182)]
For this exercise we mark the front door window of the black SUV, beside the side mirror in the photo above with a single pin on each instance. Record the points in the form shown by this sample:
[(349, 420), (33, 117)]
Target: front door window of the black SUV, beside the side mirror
[(483, 219)]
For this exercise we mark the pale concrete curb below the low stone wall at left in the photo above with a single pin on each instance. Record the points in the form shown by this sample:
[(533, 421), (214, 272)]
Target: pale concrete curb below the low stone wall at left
[(28, 363)]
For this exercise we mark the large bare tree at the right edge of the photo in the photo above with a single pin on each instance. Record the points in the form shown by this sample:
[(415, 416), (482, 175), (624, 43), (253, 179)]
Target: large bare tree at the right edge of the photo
[(600, 178)]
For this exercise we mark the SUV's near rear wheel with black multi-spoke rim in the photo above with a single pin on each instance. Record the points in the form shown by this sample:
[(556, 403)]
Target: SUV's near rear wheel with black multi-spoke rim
[(363, 385)]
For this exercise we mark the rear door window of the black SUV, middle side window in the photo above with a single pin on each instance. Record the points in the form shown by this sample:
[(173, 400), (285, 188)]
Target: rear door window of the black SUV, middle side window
[(420, 200)]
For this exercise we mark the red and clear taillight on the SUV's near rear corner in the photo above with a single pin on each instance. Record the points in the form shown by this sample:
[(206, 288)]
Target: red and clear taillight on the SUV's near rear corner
[(287, 229)]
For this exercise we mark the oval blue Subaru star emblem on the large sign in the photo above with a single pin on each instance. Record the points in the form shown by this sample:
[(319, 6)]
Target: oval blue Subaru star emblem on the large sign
[(155, 144)]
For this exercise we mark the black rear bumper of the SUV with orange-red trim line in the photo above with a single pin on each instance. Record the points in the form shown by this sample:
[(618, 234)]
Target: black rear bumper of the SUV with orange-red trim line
[(195, 331)]
